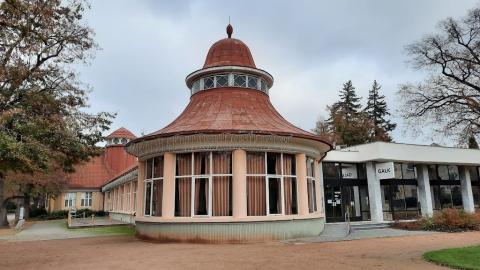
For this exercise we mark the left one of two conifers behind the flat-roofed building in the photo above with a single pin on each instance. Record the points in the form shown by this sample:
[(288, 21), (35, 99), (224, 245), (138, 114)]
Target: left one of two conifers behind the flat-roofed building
[(347, 124)]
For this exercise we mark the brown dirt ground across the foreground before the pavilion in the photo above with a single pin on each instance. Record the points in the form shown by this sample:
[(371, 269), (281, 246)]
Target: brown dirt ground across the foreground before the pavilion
[(129, 253)]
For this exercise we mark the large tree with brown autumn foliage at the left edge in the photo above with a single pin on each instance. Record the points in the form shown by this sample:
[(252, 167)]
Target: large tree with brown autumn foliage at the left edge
[(42, 103)]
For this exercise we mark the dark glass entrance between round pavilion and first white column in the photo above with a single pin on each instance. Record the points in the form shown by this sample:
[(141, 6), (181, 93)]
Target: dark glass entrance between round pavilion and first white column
[(340, 199)]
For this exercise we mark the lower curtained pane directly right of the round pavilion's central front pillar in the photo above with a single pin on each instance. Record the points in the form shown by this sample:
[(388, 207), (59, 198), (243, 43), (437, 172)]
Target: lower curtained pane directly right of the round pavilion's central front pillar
[(256, 197)]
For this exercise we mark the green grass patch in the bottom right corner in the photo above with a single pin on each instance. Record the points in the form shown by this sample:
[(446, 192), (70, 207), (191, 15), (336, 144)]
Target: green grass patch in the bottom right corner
[(460, 258)]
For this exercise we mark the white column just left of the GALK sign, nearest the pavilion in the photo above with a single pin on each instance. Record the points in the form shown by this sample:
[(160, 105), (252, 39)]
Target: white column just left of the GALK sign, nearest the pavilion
[(374, 194)]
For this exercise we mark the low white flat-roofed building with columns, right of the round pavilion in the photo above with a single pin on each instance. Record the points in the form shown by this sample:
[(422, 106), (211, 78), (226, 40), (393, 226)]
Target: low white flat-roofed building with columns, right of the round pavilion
[(391, 181)]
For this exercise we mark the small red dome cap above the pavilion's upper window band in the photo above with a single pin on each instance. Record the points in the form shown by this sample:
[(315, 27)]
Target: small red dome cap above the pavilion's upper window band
[(229, 52)]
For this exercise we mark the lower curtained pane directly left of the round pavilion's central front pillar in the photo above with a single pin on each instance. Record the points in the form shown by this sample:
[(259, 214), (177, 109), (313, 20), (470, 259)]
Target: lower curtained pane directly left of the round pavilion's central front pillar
[(222, 196)]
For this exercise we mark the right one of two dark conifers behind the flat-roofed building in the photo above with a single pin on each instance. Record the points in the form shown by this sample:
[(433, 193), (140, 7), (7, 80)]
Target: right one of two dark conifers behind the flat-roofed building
[(377, 111)]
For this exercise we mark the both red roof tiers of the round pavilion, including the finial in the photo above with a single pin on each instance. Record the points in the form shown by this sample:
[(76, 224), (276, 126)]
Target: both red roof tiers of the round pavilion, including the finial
[(230, 109)]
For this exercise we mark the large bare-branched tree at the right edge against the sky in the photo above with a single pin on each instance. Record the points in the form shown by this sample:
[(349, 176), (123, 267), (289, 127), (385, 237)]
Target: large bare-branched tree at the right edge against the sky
[(449, 97)]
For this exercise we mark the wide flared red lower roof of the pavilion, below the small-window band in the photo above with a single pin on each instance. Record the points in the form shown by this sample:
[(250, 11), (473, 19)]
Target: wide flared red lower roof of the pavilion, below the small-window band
[(231, 110)]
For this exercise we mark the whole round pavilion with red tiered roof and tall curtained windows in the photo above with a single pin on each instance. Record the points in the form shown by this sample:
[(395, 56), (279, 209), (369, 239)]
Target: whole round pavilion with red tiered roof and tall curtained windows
[(230, 168)]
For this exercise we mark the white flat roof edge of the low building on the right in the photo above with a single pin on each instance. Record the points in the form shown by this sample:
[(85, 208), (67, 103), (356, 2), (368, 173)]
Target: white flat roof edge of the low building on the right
[(382, 151)]
